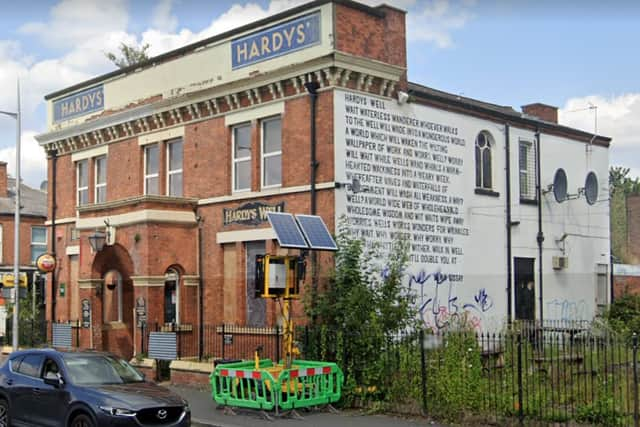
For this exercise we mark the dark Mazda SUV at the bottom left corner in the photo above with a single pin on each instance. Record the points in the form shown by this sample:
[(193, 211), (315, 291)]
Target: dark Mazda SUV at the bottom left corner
[(83, 389)]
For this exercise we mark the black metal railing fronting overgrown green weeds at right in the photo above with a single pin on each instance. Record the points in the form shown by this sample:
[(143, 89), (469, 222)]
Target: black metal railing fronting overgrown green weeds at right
[(554, 373)]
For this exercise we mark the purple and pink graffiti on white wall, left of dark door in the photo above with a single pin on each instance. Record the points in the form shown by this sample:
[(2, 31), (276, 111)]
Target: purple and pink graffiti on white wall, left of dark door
[(440, 305)]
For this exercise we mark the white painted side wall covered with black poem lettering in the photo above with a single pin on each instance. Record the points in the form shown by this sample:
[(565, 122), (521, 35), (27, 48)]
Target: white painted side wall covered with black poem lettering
[(568, 294)]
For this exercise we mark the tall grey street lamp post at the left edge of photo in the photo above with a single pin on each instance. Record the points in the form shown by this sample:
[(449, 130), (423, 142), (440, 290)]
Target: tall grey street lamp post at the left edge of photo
[(16, 233)]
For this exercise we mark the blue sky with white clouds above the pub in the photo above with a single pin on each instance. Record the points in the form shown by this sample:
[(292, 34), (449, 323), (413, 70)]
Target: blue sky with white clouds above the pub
[(579, 55)]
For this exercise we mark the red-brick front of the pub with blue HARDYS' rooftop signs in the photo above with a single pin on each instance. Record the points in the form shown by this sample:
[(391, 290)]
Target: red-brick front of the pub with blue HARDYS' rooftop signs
[(178, 158)]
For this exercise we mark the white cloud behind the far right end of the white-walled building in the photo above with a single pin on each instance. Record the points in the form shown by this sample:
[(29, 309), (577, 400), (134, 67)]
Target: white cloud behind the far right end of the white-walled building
[(617, 117)]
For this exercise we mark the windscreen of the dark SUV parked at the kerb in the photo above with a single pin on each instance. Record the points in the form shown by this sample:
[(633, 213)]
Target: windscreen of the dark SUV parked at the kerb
[(99, 369)]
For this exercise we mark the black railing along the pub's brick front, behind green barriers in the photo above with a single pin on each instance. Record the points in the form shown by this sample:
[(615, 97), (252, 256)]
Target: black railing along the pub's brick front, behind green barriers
[(219, 341)]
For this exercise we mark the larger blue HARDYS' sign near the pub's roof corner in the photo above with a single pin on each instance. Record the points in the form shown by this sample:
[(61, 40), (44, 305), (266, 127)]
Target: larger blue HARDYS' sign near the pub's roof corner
[(282, 39)]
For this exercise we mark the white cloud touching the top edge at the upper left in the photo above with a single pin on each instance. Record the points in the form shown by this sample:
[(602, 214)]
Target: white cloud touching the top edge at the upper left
[(76, 21)]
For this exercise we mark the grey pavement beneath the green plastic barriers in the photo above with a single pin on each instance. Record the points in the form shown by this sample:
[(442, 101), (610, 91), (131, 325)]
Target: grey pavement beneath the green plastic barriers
[(205, 413)]
